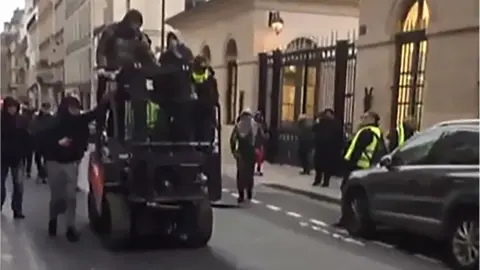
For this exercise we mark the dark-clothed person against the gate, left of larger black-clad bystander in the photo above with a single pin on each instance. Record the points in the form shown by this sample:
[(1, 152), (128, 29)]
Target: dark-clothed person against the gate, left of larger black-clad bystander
[(305, 147)]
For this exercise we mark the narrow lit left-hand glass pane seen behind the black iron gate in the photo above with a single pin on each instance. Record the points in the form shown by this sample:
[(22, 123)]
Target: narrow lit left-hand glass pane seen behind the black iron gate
[(288, 94)]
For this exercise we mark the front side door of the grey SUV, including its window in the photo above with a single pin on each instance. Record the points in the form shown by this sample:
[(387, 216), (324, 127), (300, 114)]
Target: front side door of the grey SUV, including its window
[(393, 194)]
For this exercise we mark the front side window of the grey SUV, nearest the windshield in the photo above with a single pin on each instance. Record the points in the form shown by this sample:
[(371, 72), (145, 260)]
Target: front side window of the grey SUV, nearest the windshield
[(416, 150)]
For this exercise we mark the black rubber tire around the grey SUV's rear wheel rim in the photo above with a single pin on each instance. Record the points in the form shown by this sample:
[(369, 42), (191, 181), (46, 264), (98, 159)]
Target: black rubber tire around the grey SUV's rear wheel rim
[(453, 253)]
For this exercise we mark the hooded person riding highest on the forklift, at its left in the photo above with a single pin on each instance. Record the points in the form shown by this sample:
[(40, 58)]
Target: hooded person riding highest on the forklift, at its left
[(122, 45)]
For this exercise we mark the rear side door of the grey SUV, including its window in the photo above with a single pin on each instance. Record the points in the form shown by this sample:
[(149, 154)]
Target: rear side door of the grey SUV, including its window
[(455, 152)]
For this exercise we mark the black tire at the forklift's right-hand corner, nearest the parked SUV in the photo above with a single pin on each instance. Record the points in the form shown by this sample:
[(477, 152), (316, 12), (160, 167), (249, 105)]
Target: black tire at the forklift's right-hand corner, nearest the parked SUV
[(201, 227)]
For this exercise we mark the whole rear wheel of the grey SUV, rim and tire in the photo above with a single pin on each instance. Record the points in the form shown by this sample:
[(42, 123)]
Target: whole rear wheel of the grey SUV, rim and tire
[(462, 248)]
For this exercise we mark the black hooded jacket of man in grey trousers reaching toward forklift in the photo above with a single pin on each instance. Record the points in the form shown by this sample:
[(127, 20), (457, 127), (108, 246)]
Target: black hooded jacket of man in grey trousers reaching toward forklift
[(74, 127)]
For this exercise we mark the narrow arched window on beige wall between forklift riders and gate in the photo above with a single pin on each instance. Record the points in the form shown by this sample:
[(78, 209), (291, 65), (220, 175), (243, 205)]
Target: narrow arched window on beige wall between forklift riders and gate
[(231, 55)]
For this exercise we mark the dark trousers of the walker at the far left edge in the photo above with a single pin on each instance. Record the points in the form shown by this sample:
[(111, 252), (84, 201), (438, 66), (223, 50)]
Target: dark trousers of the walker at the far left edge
[(17, 194)]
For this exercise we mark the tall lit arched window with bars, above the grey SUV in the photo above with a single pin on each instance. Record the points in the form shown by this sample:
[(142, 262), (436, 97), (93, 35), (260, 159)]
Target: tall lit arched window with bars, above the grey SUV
[(411, 62)]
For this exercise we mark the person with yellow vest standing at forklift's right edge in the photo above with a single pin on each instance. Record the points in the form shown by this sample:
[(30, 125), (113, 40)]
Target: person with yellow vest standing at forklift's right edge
[(207, 98)]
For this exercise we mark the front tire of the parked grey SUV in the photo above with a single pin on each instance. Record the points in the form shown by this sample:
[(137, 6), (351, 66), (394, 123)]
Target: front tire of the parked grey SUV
[(357, 219)]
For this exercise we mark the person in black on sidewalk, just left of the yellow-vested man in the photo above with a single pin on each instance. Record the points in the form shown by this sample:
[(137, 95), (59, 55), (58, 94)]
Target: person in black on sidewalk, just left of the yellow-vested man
[(328, 143)]
